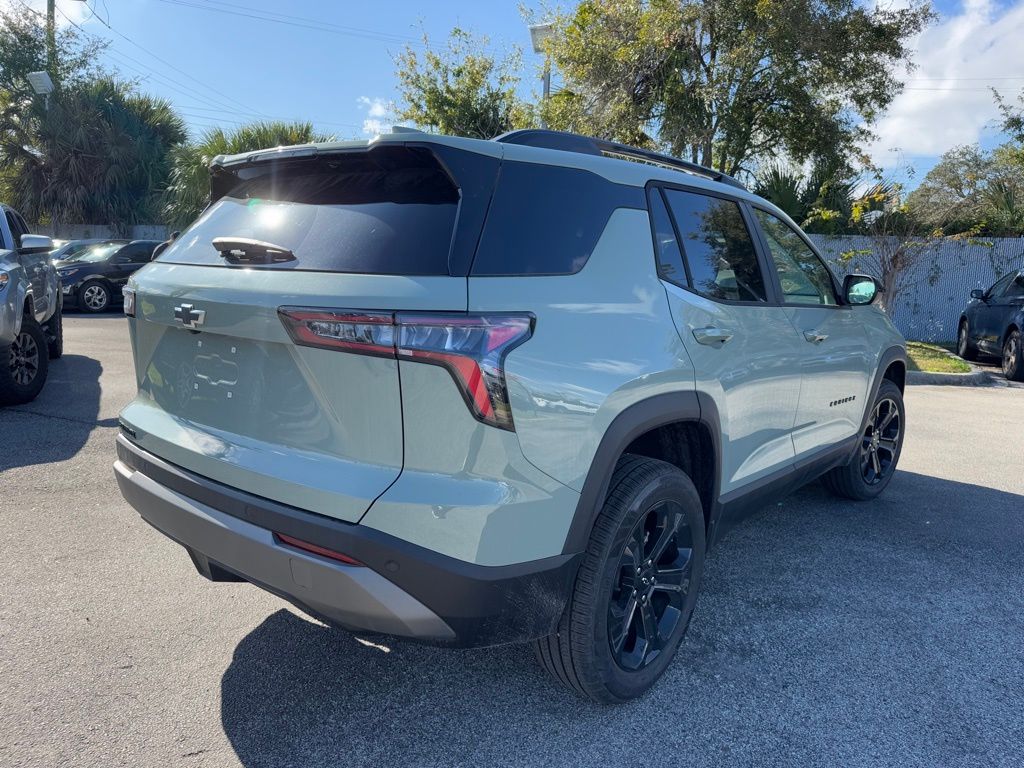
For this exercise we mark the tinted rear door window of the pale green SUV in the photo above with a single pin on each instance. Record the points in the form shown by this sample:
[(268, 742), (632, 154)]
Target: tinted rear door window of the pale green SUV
[(717, 246)]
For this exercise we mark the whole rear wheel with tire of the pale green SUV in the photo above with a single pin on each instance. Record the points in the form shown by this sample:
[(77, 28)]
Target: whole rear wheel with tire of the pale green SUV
[(647, 499)]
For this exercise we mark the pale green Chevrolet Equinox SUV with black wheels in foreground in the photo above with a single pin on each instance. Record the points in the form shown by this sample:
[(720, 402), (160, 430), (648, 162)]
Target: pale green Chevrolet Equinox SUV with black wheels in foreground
[(475, 393)]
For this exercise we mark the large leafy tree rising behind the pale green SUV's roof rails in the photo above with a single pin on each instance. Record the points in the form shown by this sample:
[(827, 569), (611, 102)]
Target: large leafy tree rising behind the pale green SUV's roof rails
[(728, 84)]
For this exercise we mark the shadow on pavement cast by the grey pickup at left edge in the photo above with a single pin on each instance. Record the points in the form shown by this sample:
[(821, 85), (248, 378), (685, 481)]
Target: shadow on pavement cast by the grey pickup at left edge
[(55, 426)]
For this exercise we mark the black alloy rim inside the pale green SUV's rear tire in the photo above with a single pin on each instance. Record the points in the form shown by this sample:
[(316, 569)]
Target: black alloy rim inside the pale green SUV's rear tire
[(649, 598)]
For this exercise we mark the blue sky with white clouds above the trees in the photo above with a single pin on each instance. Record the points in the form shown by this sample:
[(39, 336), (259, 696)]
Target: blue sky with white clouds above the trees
[(332, 63)]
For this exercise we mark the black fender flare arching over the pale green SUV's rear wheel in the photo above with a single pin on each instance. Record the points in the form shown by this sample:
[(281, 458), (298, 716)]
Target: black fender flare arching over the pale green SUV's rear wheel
[(639, 418)]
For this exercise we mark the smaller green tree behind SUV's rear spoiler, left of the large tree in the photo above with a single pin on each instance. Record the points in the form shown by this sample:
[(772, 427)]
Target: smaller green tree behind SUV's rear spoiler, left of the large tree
[(461, 90)]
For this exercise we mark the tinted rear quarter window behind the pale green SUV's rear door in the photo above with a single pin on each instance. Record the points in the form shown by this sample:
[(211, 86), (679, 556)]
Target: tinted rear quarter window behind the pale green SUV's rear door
[(546, 220)]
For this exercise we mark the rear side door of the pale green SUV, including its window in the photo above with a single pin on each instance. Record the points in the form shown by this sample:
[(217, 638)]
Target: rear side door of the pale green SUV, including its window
[(744, 349)]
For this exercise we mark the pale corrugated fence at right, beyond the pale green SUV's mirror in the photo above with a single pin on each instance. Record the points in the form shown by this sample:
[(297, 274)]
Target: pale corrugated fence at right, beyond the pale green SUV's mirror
[(929, 309)]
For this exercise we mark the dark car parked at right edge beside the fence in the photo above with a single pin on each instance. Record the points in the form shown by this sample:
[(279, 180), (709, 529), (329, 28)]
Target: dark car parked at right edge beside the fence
[(993, 323)]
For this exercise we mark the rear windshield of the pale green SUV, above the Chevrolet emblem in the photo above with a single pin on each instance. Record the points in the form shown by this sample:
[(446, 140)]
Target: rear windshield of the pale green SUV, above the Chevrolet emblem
[(389, 211)]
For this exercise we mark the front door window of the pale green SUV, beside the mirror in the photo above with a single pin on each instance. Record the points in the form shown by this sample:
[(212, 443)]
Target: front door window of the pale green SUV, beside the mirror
[(805, 280)]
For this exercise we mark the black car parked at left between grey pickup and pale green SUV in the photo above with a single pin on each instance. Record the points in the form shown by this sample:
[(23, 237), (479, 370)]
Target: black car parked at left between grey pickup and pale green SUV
[(93, 279)]
